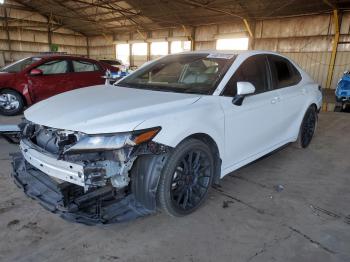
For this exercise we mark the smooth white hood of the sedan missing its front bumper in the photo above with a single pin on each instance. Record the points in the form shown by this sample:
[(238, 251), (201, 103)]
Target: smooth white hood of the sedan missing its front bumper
[(105, 108)]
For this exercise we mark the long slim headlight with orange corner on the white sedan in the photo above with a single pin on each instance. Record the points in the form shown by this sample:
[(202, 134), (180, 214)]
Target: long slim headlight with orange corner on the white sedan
[(113, 141)]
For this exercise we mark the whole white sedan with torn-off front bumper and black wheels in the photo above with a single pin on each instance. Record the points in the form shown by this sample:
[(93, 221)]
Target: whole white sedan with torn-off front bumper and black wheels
[(162, 136)]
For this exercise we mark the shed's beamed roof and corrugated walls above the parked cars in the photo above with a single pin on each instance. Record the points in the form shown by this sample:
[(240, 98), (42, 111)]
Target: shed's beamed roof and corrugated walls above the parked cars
[(314, 33)]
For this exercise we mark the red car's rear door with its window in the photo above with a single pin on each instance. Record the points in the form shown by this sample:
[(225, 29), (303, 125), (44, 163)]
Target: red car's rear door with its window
[(86, 73)]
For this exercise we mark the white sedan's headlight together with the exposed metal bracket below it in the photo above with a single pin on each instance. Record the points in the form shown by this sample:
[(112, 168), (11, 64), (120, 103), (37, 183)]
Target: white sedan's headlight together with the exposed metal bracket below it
[(108, 157)]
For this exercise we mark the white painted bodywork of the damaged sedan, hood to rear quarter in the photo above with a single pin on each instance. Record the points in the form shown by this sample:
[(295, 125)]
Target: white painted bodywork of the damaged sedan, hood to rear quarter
[(243, 133)]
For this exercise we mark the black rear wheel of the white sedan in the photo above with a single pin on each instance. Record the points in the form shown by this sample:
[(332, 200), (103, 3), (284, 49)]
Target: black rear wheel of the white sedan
[(307, 128)]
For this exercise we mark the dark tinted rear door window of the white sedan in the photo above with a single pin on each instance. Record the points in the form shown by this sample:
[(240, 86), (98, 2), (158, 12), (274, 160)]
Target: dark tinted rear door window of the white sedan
[(284, 73)]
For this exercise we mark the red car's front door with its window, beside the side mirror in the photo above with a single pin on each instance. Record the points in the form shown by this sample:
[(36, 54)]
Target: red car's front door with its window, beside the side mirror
[(54, 80)]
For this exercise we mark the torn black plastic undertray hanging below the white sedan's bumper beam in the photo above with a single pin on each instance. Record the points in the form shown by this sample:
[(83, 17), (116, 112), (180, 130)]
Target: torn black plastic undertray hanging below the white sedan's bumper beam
[(101, 206)]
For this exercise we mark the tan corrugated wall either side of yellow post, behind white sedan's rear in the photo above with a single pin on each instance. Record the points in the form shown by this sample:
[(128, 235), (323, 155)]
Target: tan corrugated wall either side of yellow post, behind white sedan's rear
[(308, 41)]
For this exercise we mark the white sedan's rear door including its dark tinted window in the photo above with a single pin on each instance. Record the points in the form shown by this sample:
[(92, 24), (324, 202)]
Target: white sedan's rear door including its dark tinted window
[(287, 80)]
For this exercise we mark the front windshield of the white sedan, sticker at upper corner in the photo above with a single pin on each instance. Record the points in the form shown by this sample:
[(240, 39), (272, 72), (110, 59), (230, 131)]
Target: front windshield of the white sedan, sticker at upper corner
[(183, 73)]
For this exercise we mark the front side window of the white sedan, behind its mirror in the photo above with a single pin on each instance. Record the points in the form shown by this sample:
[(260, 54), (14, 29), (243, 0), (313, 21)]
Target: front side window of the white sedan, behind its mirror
[(254, 70)]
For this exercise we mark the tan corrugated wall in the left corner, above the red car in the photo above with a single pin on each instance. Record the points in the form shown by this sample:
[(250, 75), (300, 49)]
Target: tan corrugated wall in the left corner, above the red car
[(25, 33)]
